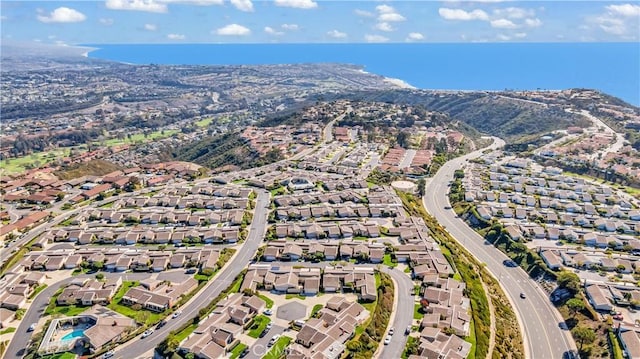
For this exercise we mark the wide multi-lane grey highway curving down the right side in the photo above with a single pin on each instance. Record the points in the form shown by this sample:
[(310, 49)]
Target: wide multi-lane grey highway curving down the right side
[(537, 316)]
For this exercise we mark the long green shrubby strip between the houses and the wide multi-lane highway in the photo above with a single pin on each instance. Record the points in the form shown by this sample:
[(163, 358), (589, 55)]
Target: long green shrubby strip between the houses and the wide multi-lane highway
[(508, 338)]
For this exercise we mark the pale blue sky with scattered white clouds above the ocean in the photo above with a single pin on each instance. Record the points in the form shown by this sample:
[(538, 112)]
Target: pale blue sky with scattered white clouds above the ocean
[(316, 21)]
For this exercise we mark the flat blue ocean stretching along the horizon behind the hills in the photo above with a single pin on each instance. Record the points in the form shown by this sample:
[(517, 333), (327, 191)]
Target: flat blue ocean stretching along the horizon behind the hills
[(613, 68)]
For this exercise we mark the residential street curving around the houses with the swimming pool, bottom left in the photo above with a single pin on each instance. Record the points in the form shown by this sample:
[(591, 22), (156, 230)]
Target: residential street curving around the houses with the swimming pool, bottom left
[(22, 338)]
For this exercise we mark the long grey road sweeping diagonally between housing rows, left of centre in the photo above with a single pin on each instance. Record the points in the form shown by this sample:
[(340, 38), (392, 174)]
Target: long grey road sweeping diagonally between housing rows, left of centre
[(135, 348)]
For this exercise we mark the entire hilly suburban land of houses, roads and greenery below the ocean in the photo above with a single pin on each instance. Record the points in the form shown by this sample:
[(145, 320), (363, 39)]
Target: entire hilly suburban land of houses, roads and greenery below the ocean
[(224, 212)]
